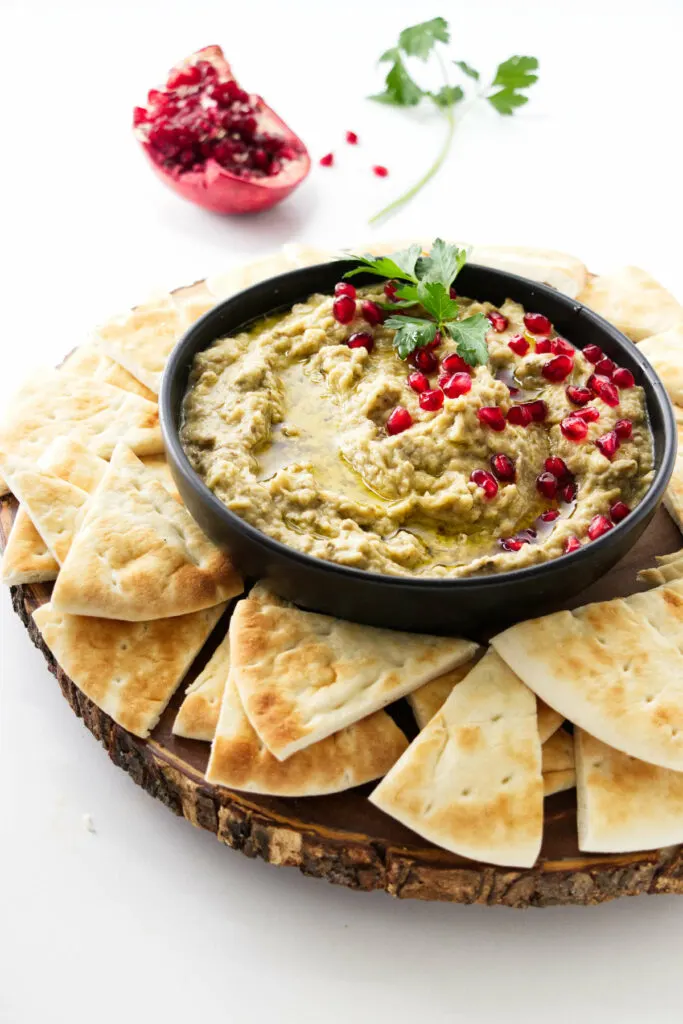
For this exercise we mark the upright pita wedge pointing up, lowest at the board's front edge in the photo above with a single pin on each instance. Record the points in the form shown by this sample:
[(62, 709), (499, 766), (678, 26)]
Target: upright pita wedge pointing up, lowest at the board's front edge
[(472, 781)]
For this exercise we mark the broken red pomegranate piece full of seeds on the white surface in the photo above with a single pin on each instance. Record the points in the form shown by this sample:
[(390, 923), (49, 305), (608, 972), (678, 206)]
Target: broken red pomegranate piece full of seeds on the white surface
[(217, 145)]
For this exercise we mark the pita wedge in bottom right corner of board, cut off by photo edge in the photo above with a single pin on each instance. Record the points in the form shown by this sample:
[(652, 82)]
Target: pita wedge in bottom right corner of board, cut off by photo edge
[(625, 804)]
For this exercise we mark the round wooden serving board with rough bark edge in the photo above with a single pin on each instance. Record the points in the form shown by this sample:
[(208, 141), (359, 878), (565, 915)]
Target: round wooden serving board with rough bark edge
[(344, 838)]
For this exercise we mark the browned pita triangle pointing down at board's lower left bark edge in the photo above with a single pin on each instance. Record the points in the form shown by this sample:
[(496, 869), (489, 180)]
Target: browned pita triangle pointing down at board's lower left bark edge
[(130, 670)]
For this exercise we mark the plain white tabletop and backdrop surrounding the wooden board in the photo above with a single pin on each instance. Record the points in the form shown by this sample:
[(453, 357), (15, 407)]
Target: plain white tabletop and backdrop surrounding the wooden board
[(149, 918)]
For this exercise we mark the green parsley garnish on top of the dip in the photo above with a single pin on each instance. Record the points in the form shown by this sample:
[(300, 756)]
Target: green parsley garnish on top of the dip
[(425, 282)]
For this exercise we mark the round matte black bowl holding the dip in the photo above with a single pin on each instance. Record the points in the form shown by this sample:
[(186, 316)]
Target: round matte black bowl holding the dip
[(400, 603)]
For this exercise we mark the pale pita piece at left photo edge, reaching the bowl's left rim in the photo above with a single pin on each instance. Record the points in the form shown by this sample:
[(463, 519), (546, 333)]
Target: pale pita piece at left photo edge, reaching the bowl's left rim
[(58, 404)]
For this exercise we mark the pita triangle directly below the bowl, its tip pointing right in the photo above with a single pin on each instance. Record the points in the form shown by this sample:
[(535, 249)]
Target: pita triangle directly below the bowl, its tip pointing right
[(303, 676)]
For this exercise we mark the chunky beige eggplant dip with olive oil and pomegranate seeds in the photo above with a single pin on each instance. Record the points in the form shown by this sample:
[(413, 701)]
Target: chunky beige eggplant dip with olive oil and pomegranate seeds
[(316, 433)]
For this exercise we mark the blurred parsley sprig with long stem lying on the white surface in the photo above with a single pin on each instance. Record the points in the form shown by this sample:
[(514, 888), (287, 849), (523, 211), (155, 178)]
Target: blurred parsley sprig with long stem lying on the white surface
[(423, 42)]
